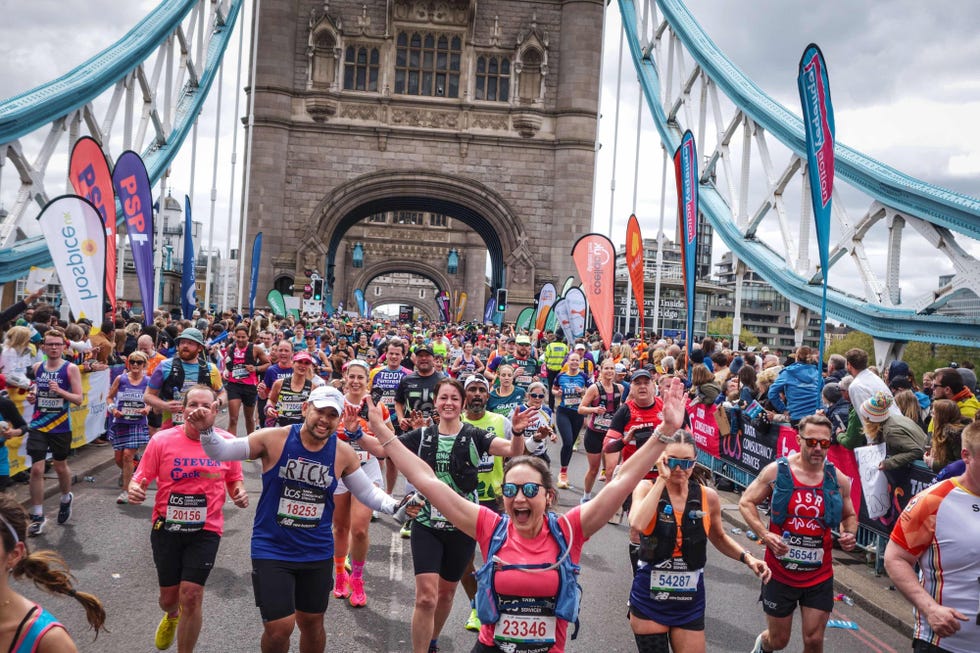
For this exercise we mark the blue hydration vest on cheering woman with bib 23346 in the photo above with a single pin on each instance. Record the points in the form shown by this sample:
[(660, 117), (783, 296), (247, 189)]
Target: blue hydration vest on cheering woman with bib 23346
[(569, 595)]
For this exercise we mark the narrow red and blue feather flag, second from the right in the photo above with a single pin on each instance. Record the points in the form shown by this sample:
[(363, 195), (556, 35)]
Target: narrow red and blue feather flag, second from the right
[(686, 171)]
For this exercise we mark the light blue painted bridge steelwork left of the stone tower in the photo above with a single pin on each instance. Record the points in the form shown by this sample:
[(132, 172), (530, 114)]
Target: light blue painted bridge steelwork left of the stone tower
[(37, 108)]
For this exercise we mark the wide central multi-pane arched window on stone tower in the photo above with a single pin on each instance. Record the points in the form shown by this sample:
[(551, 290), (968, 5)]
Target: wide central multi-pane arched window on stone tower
[(428, 65)]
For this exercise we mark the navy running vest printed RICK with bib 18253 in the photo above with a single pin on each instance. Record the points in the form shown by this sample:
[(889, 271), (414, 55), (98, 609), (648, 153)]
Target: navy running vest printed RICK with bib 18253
[(294, 518)]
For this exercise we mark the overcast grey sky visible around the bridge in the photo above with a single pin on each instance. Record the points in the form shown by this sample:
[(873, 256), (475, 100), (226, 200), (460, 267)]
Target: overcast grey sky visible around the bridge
[(902, 76)]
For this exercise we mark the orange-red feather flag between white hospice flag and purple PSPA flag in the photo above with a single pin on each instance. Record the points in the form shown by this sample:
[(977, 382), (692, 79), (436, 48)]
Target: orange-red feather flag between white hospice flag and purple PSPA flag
[(90, 177)]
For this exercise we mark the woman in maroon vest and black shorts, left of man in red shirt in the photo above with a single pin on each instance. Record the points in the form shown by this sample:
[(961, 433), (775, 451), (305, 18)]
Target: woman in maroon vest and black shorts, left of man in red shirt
[(600, 403)]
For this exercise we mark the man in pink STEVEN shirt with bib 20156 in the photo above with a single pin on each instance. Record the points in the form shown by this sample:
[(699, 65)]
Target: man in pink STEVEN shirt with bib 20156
[(187, 517)]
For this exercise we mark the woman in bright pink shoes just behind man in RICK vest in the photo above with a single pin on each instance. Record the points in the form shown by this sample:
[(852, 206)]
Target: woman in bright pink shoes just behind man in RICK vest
[(351, 518)]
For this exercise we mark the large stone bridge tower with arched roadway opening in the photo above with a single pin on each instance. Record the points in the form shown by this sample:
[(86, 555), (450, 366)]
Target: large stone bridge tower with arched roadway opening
[(468, 114)]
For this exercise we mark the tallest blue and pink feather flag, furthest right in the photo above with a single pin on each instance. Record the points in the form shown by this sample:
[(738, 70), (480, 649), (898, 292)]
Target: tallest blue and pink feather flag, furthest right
[(818, 122)]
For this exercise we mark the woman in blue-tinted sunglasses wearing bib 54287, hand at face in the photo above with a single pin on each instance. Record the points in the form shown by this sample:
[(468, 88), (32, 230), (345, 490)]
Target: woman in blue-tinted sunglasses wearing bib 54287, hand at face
[(667, 599)]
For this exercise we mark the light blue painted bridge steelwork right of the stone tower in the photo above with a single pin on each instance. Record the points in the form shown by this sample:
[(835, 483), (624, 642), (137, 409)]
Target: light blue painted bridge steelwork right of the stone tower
[(940, 207)]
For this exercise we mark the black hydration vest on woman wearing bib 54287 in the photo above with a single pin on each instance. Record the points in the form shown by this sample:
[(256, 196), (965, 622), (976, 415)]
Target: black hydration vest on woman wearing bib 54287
[(659, 545)]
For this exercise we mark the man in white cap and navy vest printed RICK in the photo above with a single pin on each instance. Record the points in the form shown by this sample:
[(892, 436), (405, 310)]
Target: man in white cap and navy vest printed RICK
[(292, 538)]
